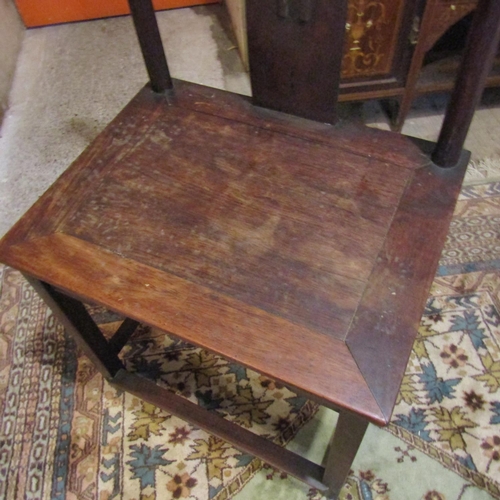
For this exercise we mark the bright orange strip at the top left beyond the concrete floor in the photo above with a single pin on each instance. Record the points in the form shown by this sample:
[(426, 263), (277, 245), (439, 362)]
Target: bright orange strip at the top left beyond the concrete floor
[(43, 12)]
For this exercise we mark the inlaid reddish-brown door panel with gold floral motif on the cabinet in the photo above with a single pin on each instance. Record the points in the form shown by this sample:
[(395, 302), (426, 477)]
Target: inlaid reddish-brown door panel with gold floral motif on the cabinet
[(372, 31)]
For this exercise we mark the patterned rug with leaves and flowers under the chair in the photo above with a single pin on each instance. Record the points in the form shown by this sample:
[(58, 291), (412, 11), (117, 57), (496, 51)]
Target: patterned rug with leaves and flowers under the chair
[(66, 433)]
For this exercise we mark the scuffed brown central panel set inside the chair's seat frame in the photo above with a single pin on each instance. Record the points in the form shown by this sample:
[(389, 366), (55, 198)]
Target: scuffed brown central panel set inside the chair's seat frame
[(219, 214)]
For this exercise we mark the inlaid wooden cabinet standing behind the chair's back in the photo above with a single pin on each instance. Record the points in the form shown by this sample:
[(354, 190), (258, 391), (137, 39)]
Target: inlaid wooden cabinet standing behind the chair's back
[(385, 44)]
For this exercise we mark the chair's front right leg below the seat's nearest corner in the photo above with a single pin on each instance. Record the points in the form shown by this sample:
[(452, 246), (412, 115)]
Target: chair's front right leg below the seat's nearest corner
[(343, 447)]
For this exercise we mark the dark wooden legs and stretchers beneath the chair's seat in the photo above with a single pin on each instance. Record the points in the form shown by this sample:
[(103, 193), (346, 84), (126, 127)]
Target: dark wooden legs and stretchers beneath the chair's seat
[(343, 447)]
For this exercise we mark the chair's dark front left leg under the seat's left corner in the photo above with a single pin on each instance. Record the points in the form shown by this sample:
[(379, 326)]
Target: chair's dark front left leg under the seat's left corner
[(78, 322)]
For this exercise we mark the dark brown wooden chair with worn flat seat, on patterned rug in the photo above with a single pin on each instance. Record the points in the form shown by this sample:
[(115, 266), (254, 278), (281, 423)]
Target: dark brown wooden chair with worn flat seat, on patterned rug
[(298, 248)]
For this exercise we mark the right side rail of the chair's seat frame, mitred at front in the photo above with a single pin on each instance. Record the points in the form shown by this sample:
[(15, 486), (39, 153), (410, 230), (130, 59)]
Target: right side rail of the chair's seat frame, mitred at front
[(391, 309)]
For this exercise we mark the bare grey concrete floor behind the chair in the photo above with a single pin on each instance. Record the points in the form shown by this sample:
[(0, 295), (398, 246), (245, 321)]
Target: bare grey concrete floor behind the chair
[(71, 80)]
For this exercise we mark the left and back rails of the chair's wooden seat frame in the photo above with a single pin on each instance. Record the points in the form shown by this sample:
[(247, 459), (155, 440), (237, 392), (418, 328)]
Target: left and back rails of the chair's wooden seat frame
[(136, 122)]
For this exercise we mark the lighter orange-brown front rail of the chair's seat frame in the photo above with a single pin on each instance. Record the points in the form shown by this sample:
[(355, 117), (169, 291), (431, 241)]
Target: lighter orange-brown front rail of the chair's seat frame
[(292, 354)]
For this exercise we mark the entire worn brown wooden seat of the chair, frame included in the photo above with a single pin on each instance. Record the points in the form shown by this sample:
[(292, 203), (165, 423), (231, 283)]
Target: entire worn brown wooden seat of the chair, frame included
[(269, 239)]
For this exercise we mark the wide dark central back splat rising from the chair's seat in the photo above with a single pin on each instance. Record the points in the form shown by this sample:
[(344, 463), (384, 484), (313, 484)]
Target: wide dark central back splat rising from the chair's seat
[(305, 39)]
